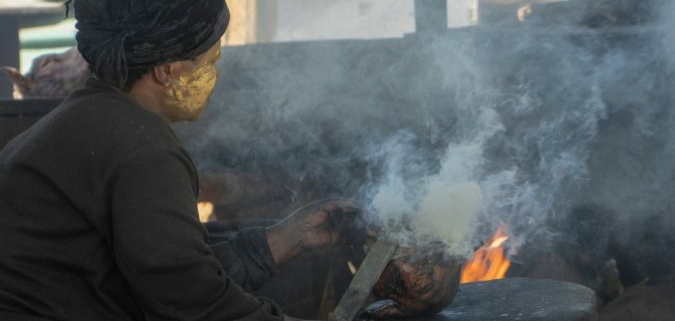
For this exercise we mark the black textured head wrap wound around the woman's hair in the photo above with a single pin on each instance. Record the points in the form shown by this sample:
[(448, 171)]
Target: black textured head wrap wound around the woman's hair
[(122, 37)]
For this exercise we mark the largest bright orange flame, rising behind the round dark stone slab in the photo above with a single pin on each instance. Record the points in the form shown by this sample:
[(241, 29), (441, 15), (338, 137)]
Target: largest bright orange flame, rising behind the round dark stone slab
[(489, 261)]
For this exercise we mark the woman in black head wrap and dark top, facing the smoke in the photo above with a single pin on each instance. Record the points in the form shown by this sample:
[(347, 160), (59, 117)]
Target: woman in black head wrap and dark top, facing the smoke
[(98, 216)]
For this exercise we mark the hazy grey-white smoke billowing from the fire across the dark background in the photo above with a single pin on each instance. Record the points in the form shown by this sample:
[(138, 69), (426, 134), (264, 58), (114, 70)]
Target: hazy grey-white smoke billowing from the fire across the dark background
[(544, 126)]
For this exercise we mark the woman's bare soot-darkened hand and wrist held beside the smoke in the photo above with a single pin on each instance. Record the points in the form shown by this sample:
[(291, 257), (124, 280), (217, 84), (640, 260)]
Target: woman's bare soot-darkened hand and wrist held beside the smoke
[(316, 225)]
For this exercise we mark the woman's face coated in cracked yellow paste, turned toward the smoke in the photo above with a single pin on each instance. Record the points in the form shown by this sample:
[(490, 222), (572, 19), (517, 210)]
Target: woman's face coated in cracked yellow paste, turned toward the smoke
[(189, 92)]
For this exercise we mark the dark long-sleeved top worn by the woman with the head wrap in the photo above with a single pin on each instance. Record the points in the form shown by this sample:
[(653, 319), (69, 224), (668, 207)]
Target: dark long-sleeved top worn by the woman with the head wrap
[(98, 222)]
